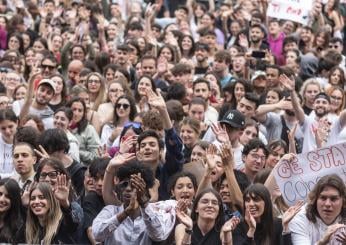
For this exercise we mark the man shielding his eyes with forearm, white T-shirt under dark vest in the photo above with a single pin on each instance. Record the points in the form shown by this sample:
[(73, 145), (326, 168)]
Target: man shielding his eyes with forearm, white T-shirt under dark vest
[(277, 126)]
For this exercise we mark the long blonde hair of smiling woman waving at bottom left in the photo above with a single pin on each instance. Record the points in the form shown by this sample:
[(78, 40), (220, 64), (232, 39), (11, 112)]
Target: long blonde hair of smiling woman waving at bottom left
[(51, 221)]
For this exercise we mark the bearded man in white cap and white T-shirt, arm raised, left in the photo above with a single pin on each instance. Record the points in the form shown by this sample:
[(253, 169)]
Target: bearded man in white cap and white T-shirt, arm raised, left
[(39, 105)]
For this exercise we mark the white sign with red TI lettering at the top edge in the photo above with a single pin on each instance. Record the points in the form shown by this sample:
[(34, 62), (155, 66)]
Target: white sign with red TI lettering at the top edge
[(295, 10)]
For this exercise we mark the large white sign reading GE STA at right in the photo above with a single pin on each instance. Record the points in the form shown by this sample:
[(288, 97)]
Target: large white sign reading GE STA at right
[(297, 178)]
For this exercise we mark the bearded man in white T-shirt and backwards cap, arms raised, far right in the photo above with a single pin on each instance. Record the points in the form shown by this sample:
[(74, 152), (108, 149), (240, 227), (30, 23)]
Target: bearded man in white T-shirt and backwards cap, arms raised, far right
[(311, 125)]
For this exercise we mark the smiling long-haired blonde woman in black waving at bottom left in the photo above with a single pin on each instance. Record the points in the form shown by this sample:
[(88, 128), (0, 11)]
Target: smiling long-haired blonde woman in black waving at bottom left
[(49, 219)]
